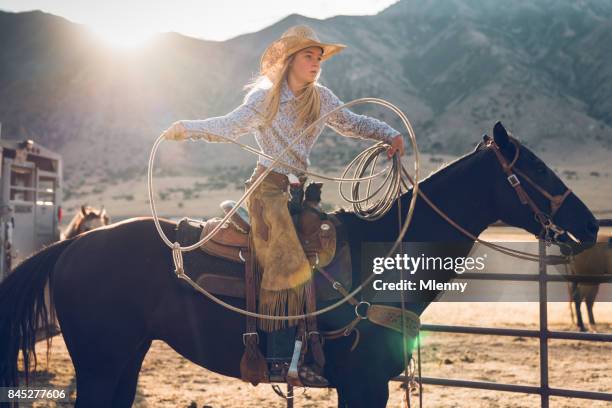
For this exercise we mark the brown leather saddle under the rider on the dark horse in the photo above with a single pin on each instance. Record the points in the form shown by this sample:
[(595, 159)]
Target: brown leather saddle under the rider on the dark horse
[(321, 235)]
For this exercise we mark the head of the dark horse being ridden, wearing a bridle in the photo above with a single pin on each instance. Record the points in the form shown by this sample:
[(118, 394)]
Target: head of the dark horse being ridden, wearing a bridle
[(534, 198)]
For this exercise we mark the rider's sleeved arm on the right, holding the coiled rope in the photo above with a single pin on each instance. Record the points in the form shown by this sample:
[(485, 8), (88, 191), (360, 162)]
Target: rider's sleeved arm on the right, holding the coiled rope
[(350, 124)]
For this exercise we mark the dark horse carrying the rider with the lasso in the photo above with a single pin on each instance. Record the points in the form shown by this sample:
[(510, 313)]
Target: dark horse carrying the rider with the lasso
[(115, 290)]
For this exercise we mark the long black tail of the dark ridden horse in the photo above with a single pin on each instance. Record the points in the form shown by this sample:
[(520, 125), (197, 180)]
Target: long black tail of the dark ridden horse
[(23, 311)]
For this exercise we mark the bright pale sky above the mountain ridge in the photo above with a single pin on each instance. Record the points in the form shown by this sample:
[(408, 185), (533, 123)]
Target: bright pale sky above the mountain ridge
[(134, 20)]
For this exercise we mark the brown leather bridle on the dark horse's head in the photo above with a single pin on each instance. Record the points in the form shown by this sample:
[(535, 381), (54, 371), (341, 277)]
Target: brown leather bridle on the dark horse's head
[(550, 231)]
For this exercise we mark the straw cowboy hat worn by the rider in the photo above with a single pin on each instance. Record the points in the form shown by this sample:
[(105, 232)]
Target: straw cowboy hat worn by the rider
[(293, 40)]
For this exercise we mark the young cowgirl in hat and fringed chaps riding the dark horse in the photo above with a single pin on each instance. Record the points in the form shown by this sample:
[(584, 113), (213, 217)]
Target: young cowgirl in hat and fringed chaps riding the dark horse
[(281, 103)]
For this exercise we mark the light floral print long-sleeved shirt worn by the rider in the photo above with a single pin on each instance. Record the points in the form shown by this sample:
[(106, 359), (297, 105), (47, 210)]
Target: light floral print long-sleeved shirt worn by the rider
[(272, 140)]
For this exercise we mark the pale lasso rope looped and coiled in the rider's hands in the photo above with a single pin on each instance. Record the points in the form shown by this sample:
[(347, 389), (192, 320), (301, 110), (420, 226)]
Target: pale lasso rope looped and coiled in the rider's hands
[(373, 212)]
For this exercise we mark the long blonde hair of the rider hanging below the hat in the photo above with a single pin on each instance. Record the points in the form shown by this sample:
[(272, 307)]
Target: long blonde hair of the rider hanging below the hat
[(308, 107)]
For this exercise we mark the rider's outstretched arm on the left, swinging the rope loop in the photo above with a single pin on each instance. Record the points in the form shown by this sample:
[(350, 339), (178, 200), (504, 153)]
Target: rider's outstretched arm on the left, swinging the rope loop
[(242, 120)]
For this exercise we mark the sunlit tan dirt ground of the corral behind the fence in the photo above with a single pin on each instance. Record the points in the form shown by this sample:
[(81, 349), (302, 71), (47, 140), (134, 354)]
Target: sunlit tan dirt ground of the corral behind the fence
[(169, 380)]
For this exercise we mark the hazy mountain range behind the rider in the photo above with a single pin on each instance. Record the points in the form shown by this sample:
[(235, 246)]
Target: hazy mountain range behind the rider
[(455, 67)]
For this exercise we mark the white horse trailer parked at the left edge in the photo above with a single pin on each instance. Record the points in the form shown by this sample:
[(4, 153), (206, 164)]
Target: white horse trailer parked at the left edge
[(30, 200)]
